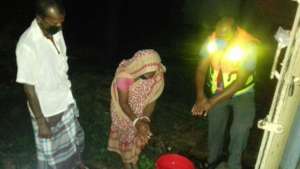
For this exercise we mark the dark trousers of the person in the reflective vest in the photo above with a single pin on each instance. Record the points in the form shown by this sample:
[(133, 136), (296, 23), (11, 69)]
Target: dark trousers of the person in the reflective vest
[(243, 109)]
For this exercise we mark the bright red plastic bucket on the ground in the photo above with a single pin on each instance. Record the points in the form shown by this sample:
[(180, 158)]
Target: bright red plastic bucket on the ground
[(174, 161)]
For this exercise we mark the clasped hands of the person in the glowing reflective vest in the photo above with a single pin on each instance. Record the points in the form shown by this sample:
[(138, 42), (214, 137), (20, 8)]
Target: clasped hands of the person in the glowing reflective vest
[(201, 107)]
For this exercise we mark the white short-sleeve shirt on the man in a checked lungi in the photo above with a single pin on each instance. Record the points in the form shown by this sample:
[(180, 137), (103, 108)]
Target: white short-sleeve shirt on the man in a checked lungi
[(40, 64)]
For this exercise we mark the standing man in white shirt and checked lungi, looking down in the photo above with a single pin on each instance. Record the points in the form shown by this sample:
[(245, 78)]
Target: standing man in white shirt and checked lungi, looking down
[(42, 70)]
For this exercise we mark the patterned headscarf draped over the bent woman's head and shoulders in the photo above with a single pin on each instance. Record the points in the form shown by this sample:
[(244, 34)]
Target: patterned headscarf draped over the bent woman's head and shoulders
[(143, 61)]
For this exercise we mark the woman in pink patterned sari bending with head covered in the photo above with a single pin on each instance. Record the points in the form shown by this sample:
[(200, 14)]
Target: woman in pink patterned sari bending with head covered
[(137, 84)]
